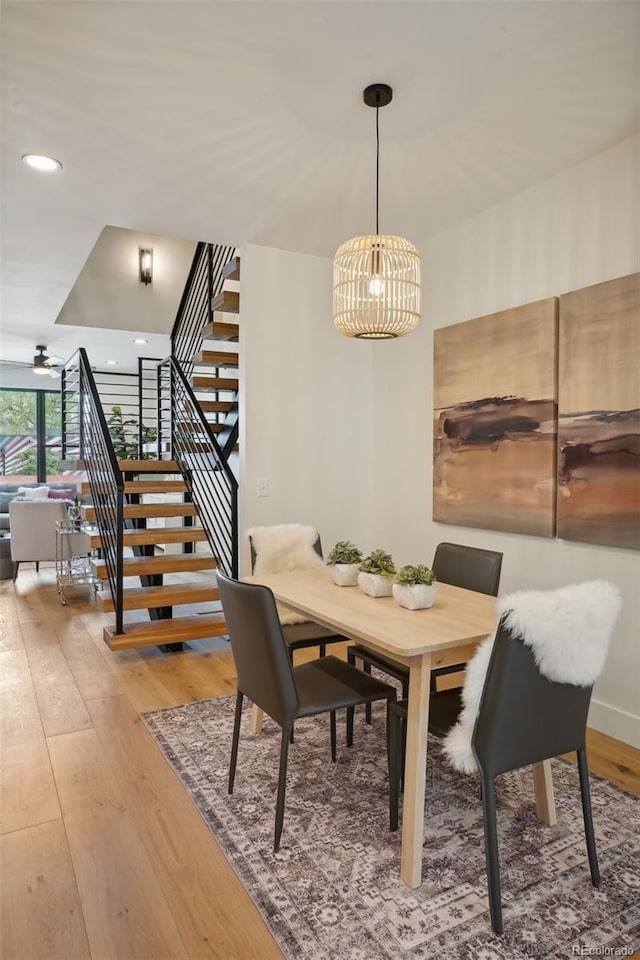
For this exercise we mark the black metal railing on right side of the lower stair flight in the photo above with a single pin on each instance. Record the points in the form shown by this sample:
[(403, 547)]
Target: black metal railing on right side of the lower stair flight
[(210, 481)]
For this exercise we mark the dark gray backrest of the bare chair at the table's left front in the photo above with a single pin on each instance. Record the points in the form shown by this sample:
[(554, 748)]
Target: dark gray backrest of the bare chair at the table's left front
[(265, 674)]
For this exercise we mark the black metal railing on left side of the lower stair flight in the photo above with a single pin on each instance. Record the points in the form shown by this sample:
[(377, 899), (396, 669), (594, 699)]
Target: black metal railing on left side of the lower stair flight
[(85, 432)]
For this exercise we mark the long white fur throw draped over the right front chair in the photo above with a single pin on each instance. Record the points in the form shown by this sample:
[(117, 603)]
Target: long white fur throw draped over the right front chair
[(568, 630)]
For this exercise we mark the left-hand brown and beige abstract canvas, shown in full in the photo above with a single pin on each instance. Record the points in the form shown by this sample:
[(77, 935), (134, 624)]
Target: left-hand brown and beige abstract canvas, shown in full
[(495, 430)]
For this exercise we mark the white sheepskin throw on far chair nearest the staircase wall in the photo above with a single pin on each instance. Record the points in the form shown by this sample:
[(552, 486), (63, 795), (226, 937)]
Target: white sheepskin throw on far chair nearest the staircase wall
[(283, 548)]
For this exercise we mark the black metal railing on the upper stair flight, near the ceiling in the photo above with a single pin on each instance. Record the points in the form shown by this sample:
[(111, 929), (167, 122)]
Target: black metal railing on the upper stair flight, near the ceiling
[(196, 311)]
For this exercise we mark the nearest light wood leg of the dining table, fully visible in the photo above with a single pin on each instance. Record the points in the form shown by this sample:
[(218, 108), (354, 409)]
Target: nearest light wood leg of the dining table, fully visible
[(415, 771)]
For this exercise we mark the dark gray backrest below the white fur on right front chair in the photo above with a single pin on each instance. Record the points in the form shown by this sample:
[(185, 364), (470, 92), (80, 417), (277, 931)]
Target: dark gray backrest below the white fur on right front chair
[(524, 717)]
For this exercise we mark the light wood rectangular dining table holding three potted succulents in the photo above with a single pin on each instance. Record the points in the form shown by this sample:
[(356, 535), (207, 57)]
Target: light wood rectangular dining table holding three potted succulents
[(424, 640)]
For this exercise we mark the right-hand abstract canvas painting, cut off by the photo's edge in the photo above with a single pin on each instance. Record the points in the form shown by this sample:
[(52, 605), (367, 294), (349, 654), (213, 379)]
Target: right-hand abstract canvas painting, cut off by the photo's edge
[(599, 414)]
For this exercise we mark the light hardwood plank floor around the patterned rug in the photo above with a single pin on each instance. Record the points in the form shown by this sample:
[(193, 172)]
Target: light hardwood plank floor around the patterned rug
[(107, 857)]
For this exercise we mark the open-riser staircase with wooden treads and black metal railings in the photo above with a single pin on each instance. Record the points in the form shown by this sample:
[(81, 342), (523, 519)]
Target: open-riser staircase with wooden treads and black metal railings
[(140, 526)]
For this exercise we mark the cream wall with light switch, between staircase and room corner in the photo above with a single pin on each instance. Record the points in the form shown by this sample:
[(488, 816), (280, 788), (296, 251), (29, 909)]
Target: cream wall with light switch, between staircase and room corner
[(305, 402)]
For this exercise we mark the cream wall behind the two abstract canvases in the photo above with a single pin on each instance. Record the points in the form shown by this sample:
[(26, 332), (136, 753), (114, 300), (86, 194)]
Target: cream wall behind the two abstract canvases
[(578, 228)]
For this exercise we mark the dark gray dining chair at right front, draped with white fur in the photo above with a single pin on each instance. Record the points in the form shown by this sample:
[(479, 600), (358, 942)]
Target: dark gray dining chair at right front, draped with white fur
[(523, 717)]
